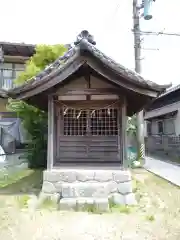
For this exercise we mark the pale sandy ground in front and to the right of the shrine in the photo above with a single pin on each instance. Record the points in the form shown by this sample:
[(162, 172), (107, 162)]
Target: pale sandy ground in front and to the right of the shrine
[(155, 217)]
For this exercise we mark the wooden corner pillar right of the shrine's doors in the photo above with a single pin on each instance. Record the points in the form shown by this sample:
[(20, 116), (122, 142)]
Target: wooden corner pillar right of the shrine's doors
[(124, 134)]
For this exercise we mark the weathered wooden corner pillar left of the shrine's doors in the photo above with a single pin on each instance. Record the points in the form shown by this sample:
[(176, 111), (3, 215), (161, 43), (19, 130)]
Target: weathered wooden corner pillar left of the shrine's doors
[(51, 135)]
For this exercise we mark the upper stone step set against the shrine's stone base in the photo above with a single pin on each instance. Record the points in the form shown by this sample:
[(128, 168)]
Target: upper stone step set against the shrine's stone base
[(85, 189)]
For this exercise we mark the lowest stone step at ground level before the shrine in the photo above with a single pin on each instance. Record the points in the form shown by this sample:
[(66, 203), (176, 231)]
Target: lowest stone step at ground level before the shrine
[(84, 204)]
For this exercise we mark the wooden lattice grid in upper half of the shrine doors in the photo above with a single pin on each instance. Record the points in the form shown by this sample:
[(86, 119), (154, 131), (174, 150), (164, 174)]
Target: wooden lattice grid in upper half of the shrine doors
[(90, 122)]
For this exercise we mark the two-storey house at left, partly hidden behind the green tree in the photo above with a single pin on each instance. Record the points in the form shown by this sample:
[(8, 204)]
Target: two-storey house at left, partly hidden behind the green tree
[(12, 62)]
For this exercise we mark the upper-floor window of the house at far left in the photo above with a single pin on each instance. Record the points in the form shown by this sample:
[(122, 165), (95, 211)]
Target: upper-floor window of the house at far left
[(8, 73)]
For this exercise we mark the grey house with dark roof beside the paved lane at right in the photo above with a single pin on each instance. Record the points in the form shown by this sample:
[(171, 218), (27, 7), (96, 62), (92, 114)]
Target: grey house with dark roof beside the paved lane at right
[(162, 124)]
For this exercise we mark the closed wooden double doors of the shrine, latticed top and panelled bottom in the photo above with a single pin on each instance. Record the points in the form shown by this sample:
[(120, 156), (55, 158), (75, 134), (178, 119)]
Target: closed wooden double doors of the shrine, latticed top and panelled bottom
[(89, 135)]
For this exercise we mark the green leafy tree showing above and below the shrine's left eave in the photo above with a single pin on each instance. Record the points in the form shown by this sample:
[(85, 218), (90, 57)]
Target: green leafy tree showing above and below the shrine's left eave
[(35, 120)]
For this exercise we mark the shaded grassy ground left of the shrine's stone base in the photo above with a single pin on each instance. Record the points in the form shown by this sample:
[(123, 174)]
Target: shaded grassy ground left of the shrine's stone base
[(26, 182)]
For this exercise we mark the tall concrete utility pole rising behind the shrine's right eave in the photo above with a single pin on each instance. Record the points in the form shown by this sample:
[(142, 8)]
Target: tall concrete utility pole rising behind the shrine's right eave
[(146, 5)]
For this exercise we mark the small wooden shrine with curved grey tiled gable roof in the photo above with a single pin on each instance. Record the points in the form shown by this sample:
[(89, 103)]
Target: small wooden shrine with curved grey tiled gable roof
[(88, 97)]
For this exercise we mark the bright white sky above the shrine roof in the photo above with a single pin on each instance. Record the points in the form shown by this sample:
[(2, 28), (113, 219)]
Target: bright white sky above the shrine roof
[(110, 21)]
